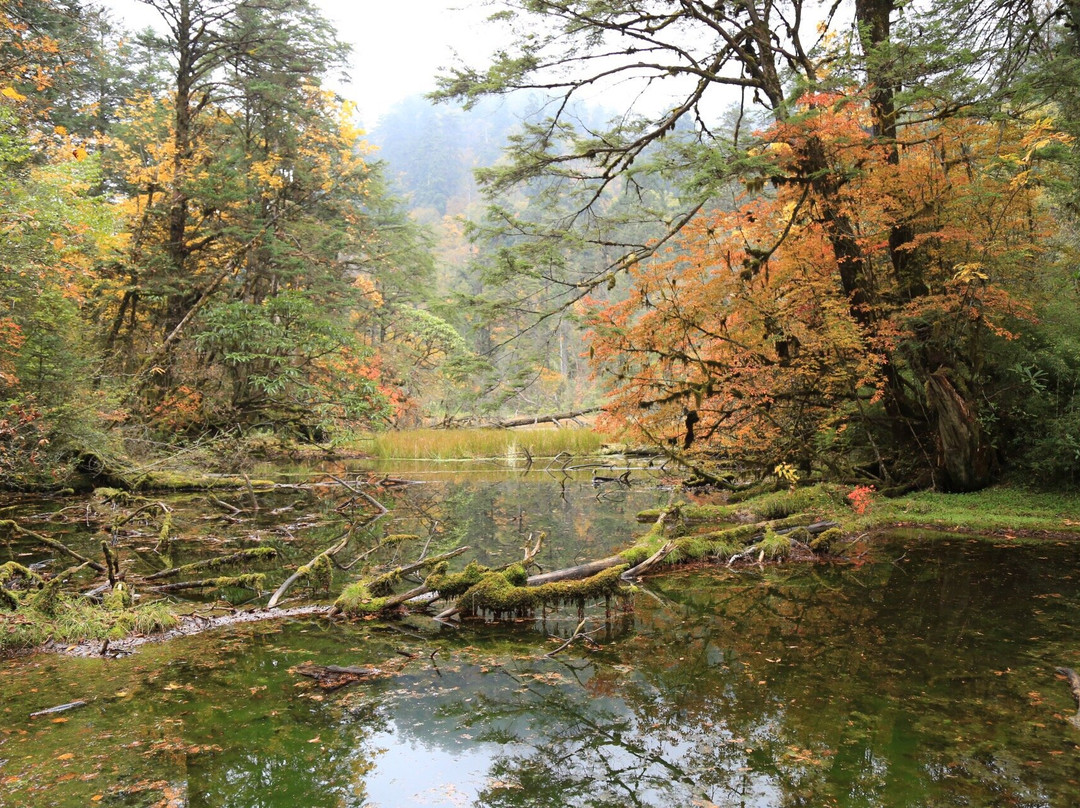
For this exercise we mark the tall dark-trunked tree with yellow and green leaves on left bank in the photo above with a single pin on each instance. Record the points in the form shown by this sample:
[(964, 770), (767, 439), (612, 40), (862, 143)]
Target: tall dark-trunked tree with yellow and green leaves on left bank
[(256, 223)]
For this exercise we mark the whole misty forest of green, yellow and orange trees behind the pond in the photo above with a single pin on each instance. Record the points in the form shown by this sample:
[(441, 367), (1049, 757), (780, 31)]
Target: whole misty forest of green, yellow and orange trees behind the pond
[(820, 241)]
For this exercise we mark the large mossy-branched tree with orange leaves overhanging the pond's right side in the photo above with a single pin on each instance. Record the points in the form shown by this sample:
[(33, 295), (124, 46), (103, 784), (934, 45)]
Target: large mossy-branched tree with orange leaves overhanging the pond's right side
[(831, 113)]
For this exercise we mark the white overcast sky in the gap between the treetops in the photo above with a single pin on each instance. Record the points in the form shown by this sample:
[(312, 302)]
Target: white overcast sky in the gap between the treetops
[(398, 47)]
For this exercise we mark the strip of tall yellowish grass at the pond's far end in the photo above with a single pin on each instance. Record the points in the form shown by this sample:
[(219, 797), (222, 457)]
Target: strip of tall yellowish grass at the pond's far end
[(460, 445)]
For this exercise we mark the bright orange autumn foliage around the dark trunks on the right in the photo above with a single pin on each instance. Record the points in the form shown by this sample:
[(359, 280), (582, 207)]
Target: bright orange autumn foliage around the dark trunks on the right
[(747, 325)]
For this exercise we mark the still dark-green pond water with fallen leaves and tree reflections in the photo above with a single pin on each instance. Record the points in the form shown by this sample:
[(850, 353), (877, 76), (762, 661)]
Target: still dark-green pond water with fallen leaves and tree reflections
[(922, 675)]
